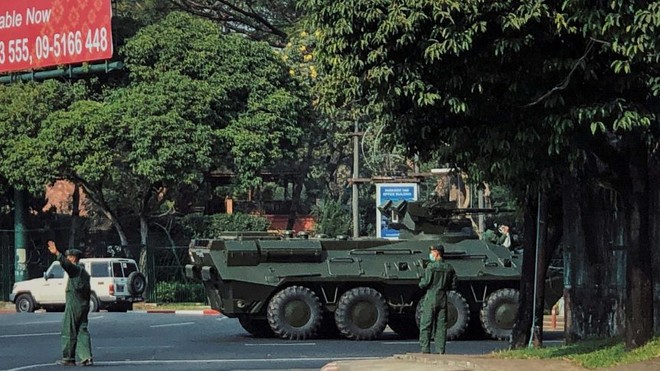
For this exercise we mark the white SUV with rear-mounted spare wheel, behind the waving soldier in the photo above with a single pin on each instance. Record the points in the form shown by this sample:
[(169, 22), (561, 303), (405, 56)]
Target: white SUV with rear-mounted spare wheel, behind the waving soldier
[(116, 284)]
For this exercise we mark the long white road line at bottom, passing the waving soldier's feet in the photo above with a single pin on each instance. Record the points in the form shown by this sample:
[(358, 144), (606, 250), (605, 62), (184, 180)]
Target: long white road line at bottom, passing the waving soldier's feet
[(197, 361)]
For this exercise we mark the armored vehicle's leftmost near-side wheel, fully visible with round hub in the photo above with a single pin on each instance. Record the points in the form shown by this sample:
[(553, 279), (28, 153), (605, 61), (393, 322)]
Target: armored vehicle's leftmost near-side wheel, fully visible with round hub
[(295, 313)]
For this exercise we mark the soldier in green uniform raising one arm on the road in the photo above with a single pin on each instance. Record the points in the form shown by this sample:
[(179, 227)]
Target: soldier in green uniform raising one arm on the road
[(74, 325)]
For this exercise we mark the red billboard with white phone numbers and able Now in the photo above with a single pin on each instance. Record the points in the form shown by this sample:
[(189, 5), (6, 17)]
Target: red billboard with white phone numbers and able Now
[(41, 33)]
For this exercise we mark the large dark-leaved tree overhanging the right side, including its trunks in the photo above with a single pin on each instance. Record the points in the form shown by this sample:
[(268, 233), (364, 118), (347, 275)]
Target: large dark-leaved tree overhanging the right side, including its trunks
[(519, 93)]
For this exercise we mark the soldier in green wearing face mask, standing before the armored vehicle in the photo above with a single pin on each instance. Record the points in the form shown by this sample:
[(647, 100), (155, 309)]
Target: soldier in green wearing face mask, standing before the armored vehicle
[(439, 277)]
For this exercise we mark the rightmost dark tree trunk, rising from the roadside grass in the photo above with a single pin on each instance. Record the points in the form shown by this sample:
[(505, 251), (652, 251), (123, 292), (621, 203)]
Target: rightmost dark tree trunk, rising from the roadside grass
[(639, 303)]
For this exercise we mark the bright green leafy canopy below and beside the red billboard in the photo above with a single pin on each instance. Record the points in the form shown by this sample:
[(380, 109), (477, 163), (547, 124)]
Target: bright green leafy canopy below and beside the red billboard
[(193, 100)]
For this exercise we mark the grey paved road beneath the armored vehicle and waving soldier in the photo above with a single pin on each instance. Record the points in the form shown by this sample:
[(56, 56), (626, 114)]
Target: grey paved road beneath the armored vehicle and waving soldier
[(31, 341)]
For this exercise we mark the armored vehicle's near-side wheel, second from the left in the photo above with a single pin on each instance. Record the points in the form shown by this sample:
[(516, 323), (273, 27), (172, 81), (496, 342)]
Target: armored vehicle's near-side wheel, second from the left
[(361, 314)]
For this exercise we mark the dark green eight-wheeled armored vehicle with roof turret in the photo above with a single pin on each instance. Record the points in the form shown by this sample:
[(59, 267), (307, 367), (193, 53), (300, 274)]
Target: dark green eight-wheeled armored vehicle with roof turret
[(301, 287)]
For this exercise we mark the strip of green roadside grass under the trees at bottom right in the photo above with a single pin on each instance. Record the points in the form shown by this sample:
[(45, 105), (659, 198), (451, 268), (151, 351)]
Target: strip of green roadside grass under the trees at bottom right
[(592, 353)]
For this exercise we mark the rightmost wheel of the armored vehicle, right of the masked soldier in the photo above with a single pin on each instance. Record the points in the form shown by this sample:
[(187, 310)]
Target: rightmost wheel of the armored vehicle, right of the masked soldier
[(499, 313)]
